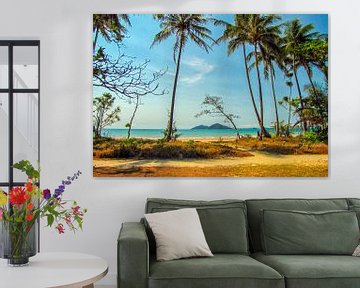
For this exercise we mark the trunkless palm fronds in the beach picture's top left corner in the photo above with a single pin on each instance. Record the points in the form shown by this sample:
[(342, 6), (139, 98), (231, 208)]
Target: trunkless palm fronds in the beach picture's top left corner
[(109, 26)]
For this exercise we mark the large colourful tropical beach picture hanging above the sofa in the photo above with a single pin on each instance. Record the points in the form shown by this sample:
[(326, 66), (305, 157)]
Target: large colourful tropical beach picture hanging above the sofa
[(210, 95)]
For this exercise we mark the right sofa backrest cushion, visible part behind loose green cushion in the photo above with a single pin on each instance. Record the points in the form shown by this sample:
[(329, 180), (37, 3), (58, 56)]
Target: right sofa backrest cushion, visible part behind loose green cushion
[(256, 205)]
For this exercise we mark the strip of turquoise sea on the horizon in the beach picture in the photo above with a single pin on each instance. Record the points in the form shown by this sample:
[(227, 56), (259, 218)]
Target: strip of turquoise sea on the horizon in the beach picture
[(184, 133)]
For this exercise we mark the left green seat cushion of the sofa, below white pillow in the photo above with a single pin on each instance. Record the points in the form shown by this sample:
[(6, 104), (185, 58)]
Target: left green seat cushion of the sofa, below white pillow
[(222, 270)]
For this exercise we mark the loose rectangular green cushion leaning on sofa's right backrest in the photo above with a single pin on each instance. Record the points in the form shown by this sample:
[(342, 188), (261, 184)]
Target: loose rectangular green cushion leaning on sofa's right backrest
[(298, 232)]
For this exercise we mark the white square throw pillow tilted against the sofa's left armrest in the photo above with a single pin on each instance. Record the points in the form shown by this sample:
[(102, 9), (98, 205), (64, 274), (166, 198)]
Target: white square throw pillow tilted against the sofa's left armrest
[(178, 234)]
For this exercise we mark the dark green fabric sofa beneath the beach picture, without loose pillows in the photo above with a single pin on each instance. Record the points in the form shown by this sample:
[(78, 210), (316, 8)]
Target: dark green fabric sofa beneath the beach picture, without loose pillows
[(233, 231)]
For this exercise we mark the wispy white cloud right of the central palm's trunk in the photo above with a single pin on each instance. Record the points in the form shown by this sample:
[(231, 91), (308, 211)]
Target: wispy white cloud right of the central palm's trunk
[(197, 69)]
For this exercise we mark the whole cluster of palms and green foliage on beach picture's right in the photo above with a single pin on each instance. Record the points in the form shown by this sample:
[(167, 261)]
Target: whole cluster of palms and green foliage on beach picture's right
[(289, 45)]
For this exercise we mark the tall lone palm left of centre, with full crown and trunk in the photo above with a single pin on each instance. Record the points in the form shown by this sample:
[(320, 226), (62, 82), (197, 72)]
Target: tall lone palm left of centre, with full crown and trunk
[(185, 28)]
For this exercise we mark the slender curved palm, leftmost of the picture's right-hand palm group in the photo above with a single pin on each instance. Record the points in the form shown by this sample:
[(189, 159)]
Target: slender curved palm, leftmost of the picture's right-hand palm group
[(237, 37)]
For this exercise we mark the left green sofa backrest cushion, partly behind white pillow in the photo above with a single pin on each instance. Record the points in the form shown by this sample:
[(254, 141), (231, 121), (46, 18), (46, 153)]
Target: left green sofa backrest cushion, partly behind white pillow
[(223, 221)]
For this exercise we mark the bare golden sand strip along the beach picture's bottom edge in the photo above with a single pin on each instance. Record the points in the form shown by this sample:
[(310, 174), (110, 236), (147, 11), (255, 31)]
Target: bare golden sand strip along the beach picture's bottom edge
[(260, 164)]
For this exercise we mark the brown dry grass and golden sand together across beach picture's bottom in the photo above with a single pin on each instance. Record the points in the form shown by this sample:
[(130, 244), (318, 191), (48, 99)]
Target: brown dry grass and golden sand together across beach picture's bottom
[(247, 157)]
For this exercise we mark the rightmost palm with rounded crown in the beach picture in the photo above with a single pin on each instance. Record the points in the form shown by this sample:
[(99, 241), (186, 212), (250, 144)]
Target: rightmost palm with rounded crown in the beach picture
[(296, 35)]
